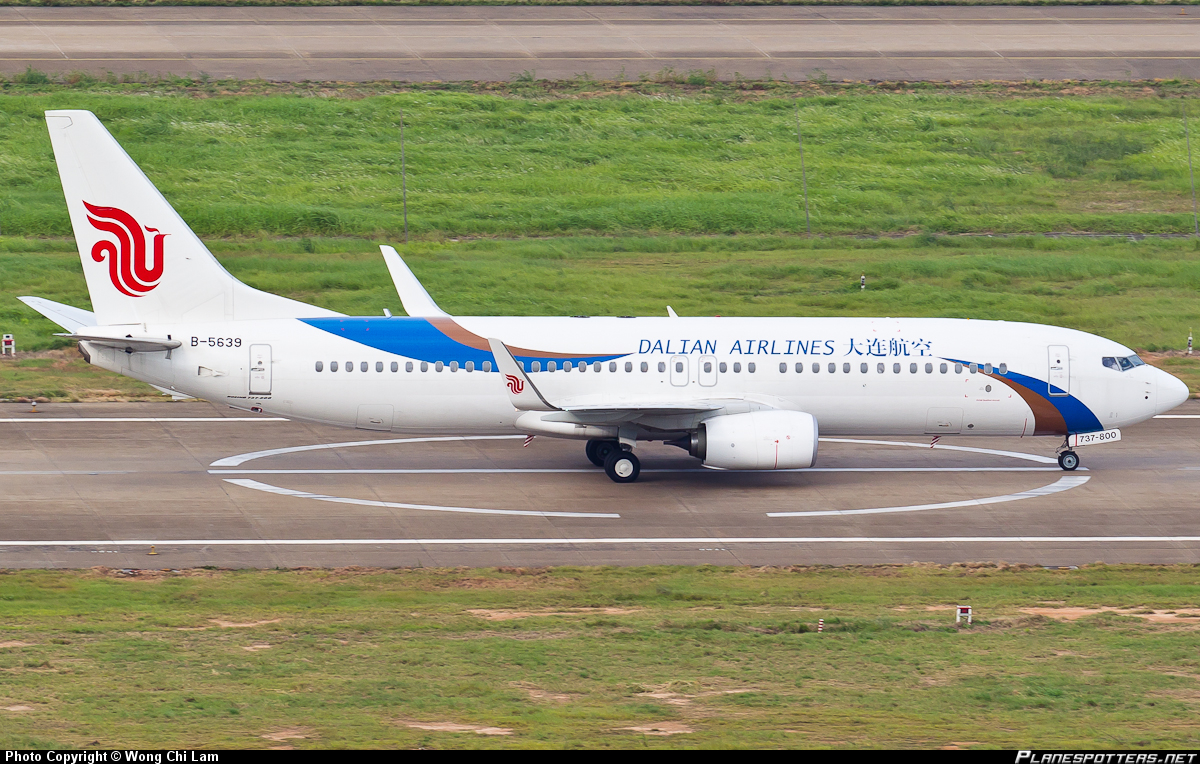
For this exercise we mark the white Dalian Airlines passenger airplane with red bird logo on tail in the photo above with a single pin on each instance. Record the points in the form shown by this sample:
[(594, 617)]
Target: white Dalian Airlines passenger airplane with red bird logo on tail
[(736, 393)]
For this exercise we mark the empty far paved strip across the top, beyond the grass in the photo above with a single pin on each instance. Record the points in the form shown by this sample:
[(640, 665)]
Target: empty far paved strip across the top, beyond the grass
[(499, 44)]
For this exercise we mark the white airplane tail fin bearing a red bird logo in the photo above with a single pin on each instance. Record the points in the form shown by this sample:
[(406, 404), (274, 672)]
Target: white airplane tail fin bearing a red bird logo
[(143, 264)]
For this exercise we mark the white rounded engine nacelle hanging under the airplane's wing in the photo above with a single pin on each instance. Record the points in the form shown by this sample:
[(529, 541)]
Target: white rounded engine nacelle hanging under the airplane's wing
[(759, 441)]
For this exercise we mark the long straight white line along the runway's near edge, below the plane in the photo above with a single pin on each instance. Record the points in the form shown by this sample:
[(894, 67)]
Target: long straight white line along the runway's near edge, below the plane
[(671, 540)]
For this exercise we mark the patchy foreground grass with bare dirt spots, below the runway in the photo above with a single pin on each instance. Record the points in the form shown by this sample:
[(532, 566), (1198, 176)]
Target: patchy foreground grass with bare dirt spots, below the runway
[(731, 654)]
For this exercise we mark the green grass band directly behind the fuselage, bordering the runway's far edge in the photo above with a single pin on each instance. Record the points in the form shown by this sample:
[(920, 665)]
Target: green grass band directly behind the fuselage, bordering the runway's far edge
[(1145, 294)]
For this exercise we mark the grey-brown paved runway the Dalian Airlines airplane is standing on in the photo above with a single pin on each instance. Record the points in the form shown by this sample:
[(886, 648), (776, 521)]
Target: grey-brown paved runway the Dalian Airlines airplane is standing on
[(88, 485)]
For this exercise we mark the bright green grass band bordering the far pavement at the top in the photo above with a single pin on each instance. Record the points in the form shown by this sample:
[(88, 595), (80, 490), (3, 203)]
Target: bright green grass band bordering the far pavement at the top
[(670, 161)]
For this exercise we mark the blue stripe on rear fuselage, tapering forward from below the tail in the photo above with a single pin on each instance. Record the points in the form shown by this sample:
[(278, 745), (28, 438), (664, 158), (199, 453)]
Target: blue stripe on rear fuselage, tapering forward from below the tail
[(419, 340)]
